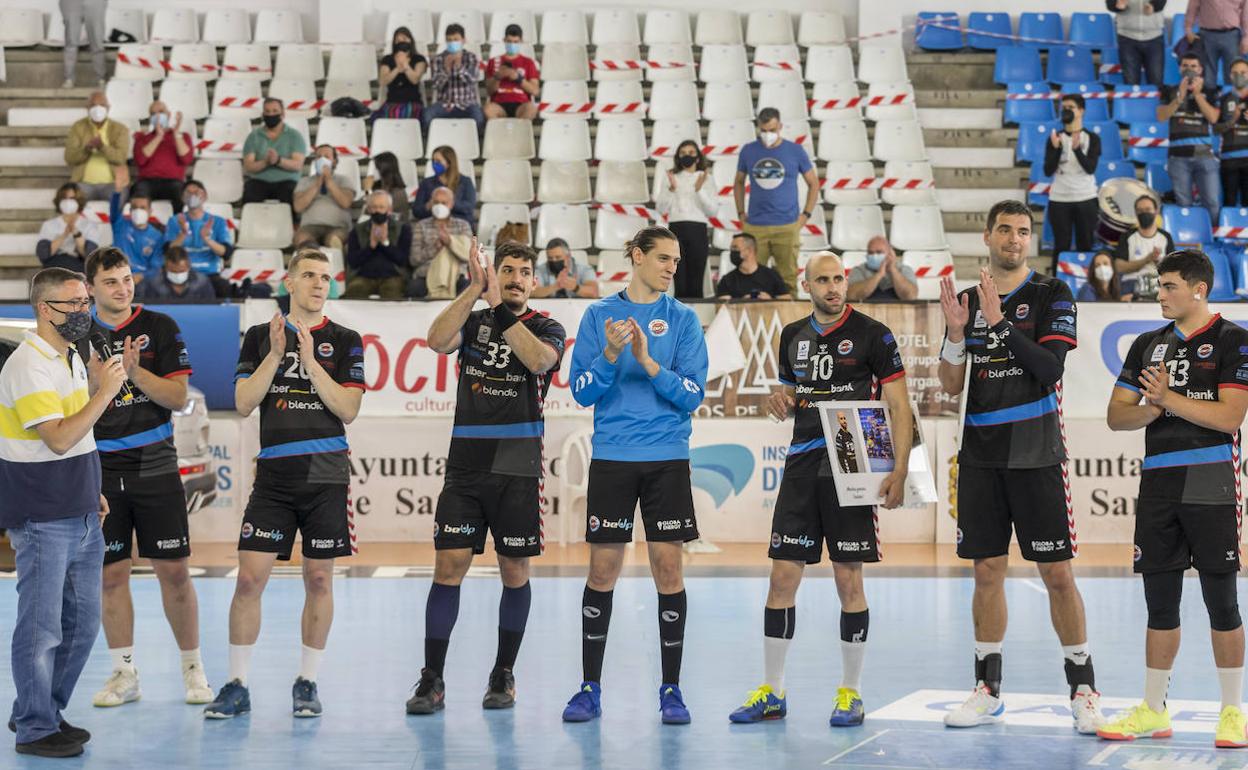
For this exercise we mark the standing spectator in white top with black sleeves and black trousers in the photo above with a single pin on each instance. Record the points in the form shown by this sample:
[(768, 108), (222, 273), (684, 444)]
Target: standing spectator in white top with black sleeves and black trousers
[(1071, 159)]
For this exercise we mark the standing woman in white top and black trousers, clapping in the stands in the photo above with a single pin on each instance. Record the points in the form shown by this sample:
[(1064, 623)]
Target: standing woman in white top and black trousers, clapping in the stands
[(687, 200)]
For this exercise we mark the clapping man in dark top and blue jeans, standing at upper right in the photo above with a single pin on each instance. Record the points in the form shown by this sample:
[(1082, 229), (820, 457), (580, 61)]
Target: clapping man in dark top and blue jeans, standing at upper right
[(1192, 113)]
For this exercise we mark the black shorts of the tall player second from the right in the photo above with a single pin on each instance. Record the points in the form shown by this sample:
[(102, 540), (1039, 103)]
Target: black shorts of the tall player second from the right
[(1034, 501)]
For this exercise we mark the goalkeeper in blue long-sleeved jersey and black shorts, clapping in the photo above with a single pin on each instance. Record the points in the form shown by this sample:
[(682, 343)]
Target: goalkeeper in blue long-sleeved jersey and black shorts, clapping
[(641, 361)]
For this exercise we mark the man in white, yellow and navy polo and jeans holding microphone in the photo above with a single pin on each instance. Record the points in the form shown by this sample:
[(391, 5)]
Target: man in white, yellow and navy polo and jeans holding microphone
[(52, 507)]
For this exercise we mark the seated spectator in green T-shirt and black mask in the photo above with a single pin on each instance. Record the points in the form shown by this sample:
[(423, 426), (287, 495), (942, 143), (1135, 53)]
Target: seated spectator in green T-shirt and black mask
[(273, 158)]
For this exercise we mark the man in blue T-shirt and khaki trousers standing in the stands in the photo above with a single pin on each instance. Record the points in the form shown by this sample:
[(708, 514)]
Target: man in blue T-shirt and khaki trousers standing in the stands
[(773, 165)]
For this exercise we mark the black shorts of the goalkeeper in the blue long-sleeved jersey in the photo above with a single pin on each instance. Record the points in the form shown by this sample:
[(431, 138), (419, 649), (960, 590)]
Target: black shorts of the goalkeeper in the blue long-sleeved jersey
[(665, 490)]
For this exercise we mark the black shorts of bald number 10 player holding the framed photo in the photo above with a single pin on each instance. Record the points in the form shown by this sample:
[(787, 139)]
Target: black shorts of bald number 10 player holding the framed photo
[(809, 514)]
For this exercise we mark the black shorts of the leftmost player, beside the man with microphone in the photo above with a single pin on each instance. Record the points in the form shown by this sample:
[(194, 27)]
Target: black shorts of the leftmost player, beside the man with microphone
[(149, 510)]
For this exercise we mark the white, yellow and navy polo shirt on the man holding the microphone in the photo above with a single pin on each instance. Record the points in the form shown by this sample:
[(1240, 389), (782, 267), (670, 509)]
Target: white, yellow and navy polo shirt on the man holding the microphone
[(38, 385)]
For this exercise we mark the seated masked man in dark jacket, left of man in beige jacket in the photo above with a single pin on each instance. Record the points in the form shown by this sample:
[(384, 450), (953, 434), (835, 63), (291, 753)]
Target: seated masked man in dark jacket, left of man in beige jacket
[(378, 253)]
